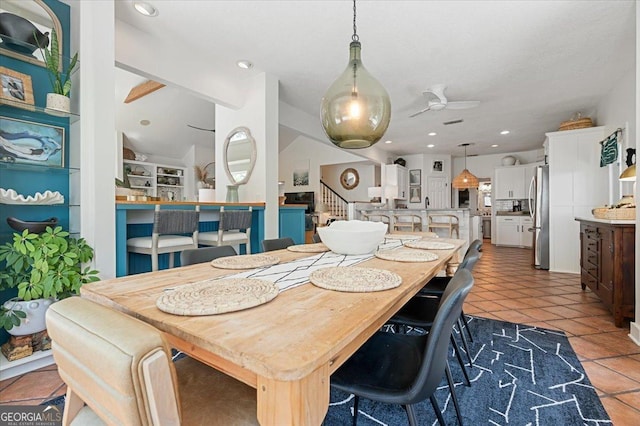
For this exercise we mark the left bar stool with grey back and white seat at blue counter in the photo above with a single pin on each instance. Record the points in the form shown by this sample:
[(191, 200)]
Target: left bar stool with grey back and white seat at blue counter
[(167, 223)]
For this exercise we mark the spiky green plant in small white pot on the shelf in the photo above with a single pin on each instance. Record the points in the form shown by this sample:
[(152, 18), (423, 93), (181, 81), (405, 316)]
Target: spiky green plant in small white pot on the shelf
[(59, 78)]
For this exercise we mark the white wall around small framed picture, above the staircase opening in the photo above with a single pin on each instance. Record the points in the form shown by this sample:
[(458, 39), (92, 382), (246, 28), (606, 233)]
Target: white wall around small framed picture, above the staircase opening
[(305, 150)]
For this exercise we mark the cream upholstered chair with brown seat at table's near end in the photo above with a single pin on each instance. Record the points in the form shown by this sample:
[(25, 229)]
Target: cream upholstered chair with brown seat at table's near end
[(121, 368)]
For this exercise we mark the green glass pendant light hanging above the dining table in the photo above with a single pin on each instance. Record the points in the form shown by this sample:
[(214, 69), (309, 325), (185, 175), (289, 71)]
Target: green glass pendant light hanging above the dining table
[(356, 110)]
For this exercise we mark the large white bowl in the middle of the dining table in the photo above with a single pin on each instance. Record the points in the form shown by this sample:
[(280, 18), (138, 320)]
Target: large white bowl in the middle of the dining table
[(353, 236)]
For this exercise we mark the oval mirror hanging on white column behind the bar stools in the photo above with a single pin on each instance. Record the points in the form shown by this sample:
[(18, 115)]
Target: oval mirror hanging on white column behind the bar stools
[(239, 155)]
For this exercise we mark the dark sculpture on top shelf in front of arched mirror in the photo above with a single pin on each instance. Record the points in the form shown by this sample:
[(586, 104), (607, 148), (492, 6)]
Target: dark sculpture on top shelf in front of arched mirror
[(19, 34)]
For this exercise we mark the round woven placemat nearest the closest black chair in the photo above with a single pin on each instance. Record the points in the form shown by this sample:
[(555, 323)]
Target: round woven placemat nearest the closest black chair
[(354, 279)]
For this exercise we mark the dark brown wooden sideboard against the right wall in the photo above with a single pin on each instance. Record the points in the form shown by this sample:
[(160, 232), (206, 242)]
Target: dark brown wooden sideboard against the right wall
[(607, 264)]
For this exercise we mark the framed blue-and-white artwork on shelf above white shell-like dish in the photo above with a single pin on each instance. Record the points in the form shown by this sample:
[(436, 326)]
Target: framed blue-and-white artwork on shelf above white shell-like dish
[(27, 142)]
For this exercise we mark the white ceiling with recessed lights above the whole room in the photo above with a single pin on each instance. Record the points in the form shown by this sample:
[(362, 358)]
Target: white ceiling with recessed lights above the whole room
[(531, 64)]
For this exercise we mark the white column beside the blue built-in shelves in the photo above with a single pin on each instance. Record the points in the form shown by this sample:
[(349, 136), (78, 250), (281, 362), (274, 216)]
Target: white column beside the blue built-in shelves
[(93, 137)]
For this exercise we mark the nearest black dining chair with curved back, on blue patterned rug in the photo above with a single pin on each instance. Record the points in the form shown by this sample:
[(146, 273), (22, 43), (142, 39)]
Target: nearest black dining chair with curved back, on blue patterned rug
[(406, 369)]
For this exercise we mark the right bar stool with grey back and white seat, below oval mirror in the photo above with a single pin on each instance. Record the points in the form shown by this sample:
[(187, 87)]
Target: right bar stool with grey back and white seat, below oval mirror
[(234, 228)]
